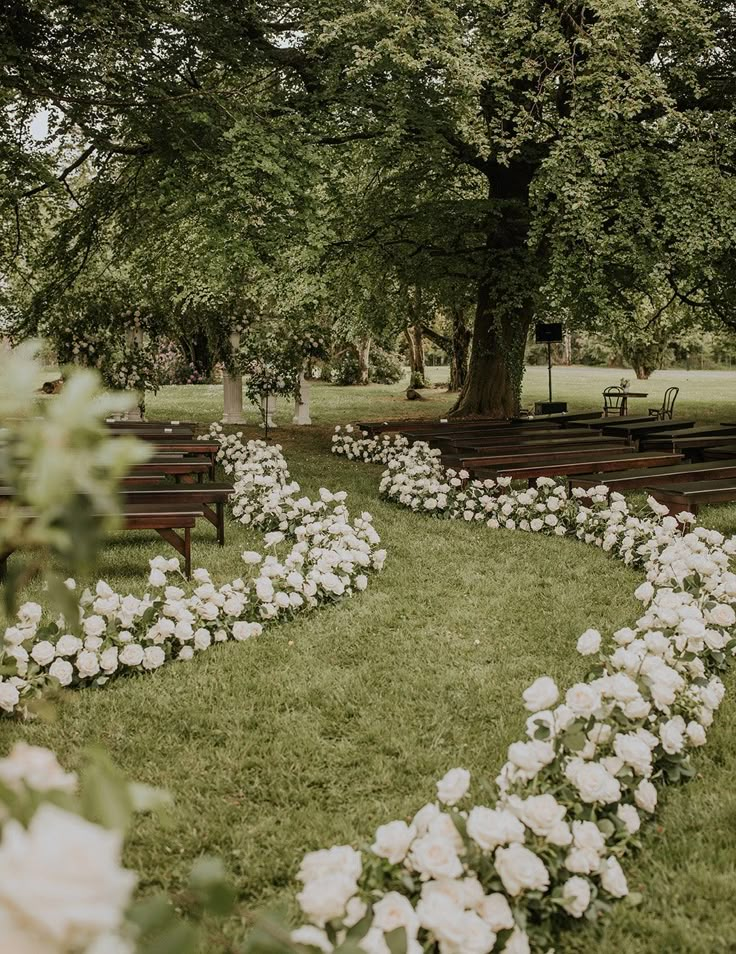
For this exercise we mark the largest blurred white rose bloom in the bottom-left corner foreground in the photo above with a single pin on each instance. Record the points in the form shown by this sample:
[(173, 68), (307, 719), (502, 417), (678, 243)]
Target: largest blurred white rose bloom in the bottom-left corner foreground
[(62, 875)]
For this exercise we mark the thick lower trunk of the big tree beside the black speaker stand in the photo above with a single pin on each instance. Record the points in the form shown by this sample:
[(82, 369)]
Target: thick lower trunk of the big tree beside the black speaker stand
[(493, 385)]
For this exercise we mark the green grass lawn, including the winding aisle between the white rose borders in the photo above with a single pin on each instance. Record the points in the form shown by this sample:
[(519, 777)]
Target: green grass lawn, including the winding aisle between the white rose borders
[(339, 721)]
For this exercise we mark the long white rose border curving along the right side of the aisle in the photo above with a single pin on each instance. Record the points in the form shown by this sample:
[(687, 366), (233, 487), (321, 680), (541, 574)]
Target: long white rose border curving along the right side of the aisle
[(461, 878)]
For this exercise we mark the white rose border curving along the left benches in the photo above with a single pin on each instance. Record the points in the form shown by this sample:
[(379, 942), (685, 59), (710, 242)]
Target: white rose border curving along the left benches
[(328, 558)]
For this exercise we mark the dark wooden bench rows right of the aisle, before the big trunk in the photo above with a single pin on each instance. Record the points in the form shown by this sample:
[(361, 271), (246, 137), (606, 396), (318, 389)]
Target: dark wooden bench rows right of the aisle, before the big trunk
[(625, 453)]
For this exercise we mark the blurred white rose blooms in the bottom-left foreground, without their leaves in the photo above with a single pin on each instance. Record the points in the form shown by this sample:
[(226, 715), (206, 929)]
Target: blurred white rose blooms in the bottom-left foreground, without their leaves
[(63, 889)]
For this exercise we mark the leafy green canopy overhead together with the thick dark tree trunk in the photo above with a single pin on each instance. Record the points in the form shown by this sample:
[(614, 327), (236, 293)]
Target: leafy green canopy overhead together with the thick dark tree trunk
[(538, 158)]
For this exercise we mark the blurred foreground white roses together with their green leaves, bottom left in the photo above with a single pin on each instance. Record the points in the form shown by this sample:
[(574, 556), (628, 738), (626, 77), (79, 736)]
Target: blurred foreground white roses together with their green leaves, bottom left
[(63, 886)]
